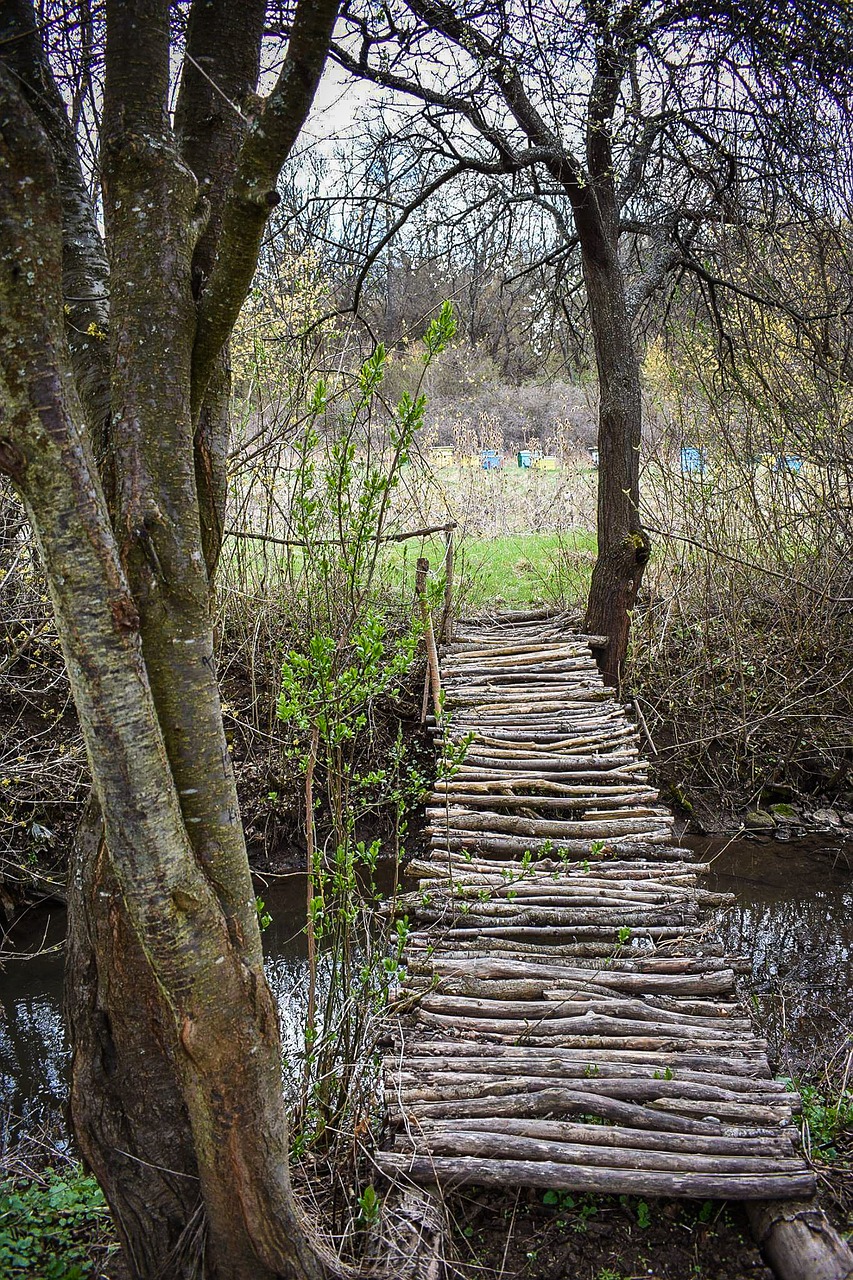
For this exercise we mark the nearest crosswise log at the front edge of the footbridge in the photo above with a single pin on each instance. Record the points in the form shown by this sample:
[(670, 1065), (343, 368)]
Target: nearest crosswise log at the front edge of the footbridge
[(467, 1172)]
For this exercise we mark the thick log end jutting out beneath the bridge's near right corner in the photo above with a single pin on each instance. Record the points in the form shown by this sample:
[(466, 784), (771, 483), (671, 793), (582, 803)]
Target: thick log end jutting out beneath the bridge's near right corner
[(799, 1242)]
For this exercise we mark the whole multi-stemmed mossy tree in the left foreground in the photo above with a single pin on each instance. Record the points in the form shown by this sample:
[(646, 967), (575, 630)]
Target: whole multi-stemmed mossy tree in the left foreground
[(177, 1091)]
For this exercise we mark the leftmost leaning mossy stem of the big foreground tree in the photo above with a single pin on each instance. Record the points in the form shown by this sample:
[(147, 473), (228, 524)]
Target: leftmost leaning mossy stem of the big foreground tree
[(213, 1012)]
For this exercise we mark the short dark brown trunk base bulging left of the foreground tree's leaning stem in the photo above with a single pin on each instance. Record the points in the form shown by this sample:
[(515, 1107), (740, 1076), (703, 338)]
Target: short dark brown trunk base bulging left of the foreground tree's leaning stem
[(130, 1118)]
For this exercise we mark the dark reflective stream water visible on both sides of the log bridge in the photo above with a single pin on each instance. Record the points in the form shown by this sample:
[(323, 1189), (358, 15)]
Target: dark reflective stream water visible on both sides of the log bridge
[(793, 921)]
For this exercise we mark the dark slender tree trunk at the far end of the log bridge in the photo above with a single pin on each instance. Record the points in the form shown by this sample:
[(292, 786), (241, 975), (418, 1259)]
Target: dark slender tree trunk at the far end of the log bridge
[(623, 545)]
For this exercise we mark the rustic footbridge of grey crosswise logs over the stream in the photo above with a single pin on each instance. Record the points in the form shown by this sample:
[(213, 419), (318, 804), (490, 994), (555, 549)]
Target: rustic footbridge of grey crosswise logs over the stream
[(567, 1020)]
